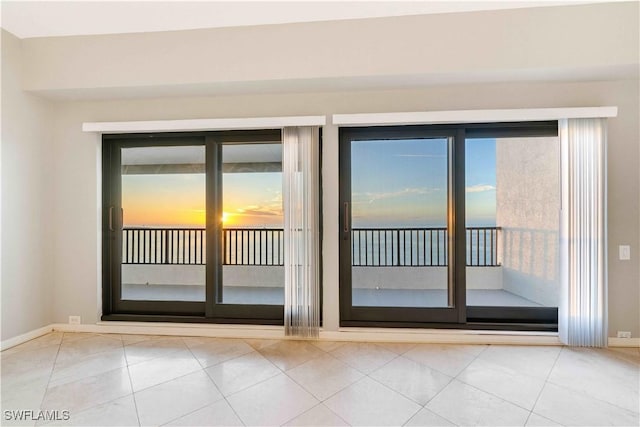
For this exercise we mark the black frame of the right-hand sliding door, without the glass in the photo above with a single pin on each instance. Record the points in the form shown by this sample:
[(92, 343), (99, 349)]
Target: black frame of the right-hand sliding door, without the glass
[(475, 317)]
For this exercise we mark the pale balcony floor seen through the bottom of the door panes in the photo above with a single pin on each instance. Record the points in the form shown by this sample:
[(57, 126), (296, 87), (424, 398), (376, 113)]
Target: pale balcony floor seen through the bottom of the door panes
[(361, 297)]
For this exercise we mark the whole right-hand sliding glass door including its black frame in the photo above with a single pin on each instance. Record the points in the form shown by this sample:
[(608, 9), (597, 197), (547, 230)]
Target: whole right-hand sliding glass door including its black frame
[(450, 225)]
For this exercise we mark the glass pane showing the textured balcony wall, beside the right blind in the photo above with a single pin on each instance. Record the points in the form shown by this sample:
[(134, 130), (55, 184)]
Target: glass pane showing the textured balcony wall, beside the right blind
[(512, 219)]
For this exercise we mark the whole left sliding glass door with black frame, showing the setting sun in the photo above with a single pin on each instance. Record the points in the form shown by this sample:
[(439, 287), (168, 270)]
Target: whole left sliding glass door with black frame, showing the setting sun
[(193, 226)]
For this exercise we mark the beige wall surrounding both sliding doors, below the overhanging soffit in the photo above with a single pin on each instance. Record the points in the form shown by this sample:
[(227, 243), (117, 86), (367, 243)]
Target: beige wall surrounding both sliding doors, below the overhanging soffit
[(77, 184)]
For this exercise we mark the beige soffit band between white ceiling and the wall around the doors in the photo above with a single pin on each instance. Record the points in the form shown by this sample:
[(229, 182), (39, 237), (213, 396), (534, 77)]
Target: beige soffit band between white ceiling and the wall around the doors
[(540, 43)]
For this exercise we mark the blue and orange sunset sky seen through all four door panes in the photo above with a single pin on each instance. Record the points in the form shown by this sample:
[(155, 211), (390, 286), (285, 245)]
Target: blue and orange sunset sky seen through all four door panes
[(410, 192)]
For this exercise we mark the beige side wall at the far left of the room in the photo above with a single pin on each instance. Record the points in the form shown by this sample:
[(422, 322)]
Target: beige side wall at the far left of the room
[(26, 279)]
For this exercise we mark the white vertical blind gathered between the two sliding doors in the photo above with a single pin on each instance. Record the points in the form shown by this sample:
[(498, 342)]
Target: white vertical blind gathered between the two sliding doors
[(301, 232)]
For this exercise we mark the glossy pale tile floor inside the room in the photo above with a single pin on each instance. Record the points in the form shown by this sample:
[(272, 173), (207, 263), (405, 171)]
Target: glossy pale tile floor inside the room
[(192, 381)]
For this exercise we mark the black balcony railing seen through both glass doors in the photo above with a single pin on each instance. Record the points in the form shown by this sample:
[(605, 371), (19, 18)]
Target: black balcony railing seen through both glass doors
[(371, 247)]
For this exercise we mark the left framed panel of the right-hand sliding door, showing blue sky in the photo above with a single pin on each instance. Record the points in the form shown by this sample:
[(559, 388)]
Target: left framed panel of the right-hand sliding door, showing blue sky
[(398, 200)]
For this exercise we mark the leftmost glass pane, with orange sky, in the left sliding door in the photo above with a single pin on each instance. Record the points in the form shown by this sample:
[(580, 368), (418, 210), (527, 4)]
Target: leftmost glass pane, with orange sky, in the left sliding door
[(163, 211)]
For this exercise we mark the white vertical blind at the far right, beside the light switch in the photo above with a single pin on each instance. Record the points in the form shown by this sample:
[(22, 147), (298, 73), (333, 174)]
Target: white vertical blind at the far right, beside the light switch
[(582, 315)]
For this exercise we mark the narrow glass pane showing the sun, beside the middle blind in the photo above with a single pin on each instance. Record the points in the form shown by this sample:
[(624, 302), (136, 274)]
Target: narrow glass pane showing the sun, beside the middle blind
[(253, 224)]
